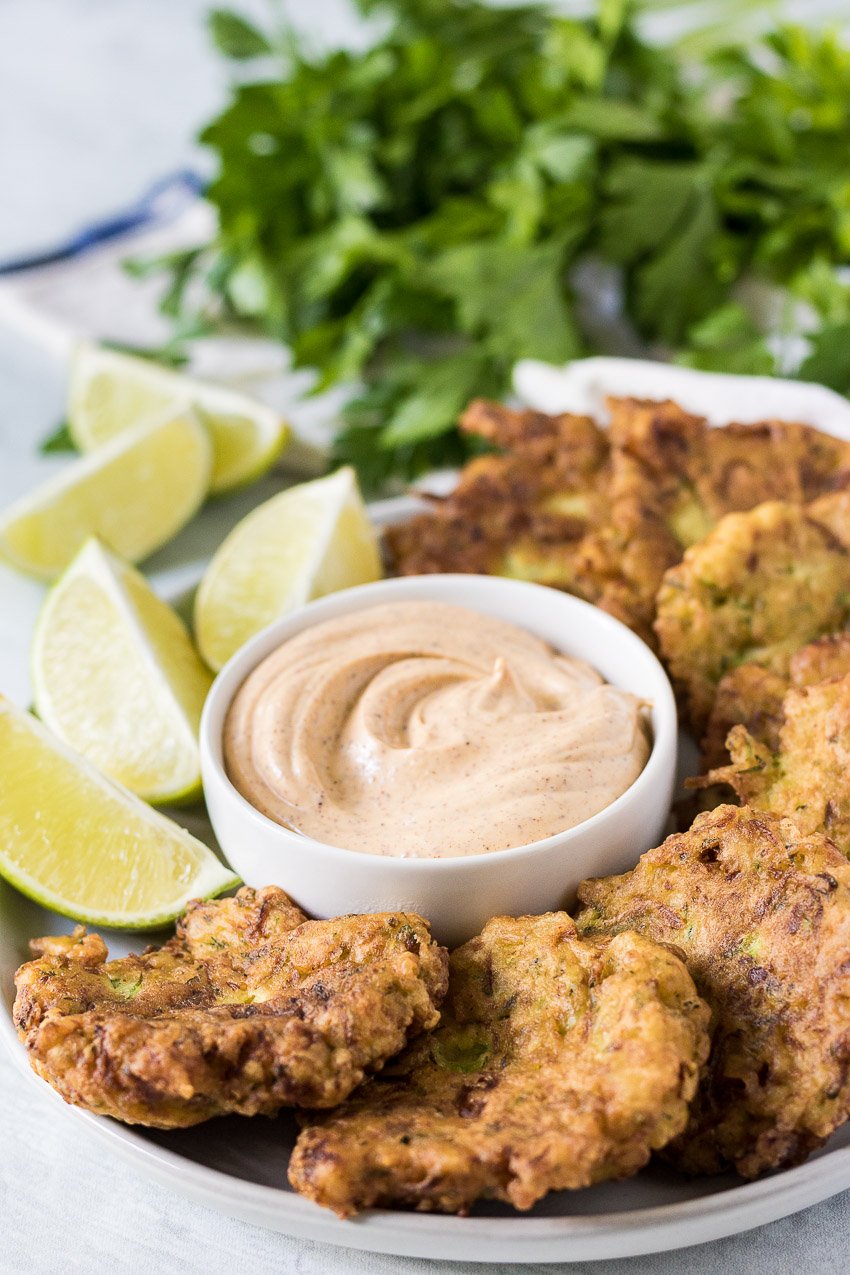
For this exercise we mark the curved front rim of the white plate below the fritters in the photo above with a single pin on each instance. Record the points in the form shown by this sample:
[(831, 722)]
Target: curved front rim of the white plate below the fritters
[(523, 1240)]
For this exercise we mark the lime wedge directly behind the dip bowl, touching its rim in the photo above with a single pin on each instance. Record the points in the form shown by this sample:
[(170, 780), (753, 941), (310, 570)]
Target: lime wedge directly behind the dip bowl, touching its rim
[(301, 545)]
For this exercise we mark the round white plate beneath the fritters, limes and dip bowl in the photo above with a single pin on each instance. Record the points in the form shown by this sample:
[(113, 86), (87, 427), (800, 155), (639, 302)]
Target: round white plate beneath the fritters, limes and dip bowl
[(239, 1166)]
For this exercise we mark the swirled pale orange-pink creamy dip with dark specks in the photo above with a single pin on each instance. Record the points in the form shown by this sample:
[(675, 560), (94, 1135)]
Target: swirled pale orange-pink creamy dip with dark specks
[(425, 730)]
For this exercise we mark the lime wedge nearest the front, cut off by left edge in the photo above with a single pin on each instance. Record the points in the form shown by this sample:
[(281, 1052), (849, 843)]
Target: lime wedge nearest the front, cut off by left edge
[(81, 845)]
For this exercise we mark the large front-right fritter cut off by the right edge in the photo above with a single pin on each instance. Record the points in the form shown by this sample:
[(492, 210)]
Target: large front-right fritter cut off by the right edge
[(763, 917)]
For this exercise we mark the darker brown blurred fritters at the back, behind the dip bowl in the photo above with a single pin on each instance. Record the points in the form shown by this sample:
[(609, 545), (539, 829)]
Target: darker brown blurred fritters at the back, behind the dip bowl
[(605, 514)]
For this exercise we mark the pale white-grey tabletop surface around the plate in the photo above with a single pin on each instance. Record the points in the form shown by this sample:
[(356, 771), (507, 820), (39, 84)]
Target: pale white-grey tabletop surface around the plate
[(99, 99)]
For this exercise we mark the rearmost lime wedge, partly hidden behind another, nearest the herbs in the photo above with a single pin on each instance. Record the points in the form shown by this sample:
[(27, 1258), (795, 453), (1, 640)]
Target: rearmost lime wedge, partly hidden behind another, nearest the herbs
[(112, 392)]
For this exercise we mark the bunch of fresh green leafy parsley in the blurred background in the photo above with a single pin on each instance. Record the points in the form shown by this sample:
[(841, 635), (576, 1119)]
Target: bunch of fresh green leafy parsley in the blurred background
[(408, 219)]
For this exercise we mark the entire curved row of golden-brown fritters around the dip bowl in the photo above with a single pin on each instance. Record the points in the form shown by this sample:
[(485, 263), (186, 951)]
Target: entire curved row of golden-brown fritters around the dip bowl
[(700, 1007)]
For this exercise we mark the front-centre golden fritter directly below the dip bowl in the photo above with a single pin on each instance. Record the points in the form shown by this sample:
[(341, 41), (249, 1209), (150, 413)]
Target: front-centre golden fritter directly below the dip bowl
[(560, 1063)]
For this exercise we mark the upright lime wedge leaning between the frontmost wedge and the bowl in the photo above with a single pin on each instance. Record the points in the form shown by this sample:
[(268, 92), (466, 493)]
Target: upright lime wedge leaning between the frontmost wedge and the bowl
[(117, 678)]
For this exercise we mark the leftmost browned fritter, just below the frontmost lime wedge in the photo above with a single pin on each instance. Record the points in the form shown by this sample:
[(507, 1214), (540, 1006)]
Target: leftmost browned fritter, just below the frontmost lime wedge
[(248, 1009)]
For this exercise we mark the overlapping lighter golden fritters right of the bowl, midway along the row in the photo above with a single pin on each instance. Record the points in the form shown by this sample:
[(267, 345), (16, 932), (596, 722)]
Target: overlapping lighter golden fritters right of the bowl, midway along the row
[(751, 625)]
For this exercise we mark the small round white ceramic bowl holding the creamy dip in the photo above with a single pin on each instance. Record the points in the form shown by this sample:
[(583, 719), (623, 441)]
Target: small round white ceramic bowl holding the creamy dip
[(458, 896)]
